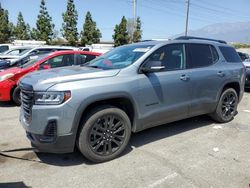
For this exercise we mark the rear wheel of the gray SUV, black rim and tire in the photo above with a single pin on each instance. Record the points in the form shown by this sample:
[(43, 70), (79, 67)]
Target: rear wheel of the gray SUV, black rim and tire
[(226, 107)]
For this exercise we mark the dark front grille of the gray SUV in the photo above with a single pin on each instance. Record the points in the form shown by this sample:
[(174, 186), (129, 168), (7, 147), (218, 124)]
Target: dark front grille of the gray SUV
[(27, 103)]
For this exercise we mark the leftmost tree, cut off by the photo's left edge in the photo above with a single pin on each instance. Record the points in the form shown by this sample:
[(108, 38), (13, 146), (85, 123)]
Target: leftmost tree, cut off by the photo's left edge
[(4, 26)]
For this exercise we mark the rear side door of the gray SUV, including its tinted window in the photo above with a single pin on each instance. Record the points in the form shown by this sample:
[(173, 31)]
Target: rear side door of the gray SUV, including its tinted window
[(207, 77)]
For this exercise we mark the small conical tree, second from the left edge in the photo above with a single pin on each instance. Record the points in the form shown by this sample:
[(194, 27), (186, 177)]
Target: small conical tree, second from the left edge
[(21, 31)]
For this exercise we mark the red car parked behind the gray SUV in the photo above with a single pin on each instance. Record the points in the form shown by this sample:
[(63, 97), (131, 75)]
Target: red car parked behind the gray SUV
[(10, 77)]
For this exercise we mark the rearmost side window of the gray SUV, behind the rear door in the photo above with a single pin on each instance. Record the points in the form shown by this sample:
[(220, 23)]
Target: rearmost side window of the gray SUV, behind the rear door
[(230, 54)]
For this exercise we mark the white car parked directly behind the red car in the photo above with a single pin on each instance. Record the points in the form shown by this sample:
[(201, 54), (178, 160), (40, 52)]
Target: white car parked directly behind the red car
[(12, 60)]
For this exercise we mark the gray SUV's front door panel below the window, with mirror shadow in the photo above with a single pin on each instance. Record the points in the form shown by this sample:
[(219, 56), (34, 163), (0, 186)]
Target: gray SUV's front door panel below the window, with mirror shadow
[(163, 96)]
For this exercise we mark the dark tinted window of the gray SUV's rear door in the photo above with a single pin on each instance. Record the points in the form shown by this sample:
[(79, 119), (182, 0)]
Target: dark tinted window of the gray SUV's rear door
[(201, 55)]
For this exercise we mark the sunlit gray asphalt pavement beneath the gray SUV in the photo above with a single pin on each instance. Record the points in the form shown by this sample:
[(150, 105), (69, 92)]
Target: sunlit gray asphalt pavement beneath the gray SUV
[(190, 153)]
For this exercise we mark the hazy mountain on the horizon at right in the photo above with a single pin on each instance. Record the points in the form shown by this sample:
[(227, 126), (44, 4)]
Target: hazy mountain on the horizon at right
[(230, 32)]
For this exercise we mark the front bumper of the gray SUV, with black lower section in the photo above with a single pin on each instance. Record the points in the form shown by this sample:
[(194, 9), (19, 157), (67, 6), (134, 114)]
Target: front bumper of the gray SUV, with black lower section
[(51, 128)]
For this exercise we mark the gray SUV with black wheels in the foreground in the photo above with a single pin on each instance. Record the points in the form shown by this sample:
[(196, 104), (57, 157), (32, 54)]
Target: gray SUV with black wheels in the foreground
[(131, 88)]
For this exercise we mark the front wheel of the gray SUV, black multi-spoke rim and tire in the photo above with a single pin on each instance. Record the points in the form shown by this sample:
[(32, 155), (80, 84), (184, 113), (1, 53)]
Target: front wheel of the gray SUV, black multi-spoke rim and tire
[(104, 134)]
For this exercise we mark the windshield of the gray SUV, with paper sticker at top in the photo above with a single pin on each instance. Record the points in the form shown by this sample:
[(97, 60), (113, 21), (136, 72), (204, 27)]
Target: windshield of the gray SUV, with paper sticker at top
[(119, 57)]
